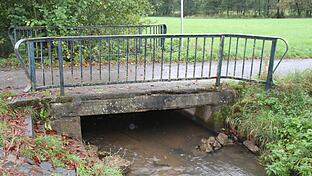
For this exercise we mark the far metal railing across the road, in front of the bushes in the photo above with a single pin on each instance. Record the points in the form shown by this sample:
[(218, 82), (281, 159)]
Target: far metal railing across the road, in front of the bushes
[(19, 32)]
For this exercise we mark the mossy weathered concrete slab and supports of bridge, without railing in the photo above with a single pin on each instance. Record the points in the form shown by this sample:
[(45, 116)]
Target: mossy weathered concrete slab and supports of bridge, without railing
[(116, 99)]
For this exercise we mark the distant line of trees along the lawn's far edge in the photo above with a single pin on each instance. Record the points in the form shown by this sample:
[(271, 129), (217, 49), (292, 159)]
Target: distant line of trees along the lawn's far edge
[(237, 8)]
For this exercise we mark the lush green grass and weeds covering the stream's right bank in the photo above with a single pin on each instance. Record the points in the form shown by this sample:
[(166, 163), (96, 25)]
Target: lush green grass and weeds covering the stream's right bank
[(280, 122)]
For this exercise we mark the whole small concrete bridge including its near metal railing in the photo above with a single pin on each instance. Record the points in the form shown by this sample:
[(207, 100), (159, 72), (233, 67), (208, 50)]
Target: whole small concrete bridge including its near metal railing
[(113, 74)]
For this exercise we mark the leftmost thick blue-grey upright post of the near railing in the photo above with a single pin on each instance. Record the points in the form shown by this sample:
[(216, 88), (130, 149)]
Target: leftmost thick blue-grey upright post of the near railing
[(32, 64)]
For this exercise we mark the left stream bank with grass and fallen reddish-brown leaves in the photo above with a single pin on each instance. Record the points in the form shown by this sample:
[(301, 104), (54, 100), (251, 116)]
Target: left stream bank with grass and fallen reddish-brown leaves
[(46, 146)]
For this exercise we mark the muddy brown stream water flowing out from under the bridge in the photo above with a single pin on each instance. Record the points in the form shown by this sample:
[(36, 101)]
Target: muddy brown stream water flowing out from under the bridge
[(163, 143)]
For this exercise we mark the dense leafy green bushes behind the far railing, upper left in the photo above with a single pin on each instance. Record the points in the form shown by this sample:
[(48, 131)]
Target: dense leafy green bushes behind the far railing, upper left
[(60, 13)]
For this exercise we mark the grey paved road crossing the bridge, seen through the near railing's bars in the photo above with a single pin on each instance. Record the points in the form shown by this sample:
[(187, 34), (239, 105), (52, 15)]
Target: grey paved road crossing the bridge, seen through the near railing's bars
[(16, 79)]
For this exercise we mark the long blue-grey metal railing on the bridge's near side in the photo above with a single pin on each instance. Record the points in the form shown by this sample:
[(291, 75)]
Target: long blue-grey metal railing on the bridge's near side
[(97, 60)]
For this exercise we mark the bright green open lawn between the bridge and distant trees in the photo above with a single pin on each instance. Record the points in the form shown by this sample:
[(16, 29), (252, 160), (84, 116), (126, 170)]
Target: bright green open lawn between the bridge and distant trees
[(298, 32)]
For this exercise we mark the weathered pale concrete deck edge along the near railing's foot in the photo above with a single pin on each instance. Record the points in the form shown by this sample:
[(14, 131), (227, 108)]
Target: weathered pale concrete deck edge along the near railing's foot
[(123, 90)]
